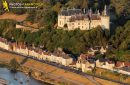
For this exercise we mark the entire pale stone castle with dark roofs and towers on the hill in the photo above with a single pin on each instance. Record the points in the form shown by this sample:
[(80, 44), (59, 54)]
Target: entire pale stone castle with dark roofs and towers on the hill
[(71, 19)]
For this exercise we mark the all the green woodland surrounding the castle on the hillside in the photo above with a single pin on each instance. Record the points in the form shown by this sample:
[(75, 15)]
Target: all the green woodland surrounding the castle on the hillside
[(76, 41)]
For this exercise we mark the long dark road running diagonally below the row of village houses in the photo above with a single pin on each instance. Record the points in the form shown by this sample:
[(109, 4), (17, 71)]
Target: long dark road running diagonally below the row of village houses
[(88, 76)]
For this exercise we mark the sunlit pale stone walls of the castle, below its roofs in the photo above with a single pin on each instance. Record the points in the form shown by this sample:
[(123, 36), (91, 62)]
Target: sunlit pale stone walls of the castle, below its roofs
[(83, 24)]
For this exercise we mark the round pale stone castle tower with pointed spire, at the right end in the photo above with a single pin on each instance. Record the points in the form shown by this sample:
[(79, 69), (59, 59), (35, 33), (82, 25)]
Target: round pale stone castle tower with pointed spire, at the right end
[(105, 20)]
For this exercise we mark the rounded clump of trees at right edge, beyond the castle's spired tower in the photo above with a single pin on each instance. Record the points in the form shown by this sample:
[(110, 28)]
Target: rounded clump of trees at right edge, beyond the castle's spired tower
[(121, 39)]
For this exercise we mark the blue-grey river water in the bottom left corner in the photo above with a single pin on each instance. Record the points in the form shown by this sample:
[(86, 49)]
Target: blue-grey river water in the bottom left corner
[(21, 77)]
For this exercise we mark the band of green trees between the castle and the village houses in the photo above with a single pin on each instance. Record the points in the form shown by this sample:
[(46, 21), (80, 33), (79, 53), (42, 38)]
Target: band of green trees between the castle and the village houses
[(76, 41)]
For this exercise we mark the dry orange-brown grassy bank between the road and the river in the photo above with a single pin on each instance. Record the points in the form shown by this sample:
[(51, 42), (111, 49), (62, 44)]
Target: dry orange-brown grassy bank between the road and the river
[(57, 76)]
